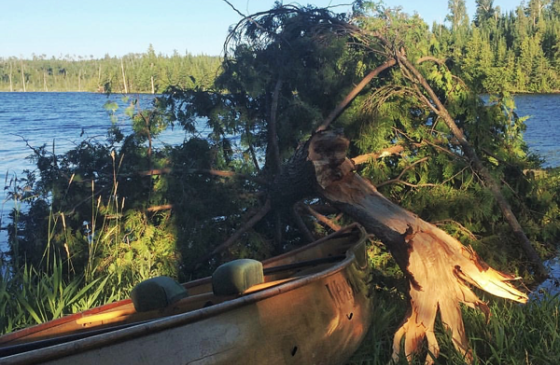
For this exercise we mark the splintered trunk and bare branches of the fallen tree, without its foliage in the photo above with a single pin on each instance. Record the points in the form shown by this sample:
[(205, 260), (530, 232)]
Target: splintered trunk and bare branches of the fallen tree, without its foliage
[(439, 269)]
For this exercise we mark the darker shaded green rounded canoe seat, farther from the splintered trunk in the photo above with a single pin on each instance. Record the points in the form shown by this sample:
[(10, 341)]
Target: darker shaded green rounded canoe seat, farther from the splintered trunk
[(156, 293)]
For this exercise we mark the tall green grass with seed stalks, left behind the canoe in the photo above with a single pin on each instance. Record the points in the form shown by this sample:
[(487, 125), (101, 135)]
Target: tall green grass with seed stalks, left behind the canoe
[(35, 294)]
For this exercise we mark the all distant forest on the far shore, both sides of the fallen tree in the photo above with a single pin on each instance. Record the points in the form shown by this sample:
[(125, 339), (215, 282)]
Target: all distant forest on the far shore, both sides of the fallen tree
[(520, 49)]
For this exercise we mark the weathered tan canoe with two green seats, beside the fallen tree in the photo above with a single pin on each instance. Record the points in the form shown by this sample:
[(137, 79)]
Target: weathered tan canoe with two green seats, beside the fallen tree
[(312, 305)]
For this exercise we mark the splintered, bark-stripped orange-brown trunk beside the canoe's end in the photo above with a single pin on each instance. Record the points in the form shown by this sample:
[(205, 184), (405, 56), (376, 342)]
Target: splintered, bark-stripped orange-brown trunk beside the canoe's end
[(438, 267)]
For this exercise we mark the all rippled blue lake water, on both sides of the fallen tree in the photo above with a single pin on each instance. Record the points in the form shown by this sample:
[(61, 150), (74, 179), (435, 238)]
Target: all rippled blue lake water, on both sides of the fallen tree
[(67, 118)]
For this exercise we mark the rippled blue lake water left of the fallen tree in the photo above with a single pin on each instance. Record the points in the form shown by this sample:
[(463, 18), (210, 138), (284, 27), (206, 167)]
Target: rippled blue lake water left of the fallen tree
[(59, 119)]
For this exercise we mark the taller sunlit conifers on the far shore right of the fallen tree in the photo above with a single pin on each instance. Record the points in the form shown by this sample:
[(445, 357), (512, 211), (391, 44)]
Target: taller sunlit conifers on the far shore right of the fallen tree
[(520, 49)]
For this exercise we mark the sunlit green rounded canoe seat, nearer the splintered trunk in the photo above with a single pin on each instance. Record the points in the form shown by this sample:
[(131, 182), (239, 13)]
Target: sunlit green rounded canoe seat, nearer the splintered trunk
[(234, 277)]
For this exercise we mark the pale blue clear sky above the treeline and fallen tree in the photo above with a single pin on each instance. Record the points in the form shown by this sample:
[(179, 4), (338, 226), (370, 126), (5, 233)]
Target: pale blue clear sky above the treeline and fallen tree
[(98, 27)]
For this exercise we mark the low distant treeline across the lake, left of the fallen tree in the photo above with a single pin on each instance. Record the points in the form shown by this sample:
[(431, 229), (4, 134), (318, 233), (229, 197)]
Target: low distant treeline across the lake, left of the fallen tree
[(133, 73)]
